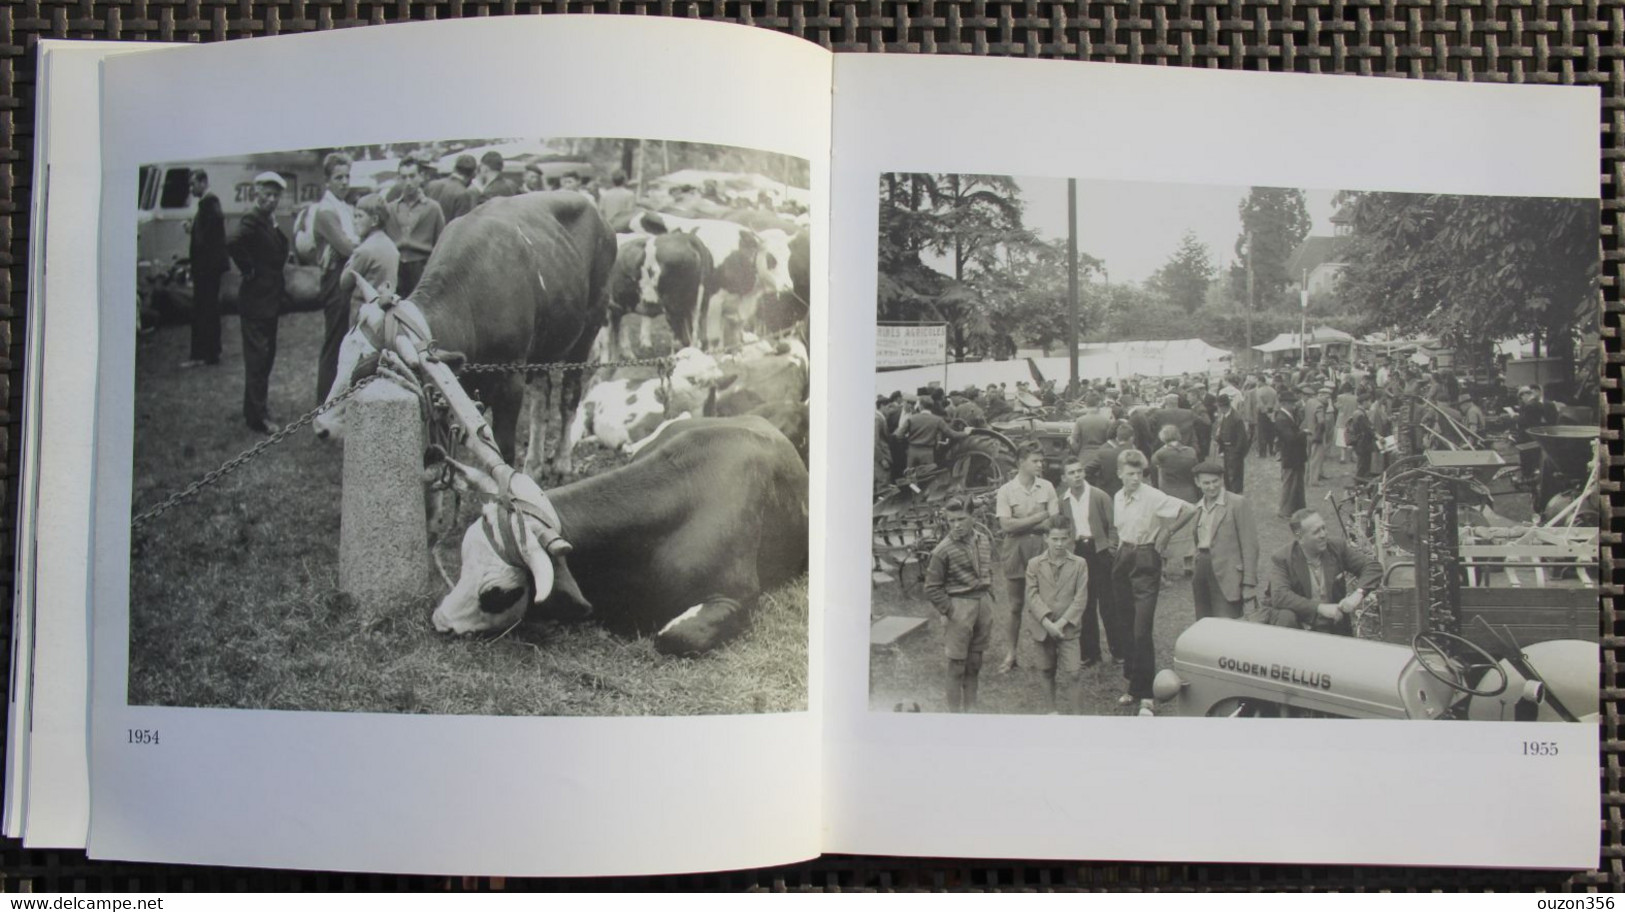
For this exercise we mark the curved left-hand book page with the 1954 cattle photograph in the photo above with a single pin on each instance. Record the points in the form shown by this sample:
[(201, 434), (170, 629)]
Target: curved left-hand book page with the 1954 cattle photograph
[(284, 674)]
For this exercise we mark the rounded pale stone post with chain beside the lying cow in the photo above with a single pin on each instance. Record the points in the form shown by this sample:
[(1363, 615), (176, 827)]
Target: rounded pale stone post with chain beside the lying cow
[(384, 547)]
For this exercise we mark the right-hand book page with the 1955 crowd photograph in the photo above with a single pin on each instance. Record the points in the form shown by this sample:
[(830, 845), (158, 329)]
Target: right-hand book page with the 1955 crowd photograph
[(1124, 601)]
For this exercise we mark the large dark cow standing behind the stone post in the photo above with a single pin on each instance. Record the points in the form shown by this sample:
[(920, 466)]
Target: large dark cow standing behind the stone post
[(518, 280)]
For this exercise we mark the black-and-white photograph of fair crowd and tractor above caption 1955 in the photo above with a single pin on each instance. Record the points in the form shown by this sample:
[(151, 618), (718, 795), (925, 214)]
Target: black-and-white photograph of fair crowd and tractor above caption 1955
[(1220, 451)]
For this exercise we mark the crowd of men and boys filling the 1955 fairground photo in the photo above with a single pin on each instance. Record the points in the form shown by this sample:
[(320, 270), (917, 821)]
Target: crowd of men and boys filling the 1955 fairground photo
[(1156, 474)]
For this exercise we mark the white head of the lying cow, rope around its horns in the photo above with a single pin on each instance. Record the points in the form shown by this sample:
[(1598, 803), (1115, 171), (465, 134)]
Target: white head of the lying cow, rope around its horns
[(506, 563)]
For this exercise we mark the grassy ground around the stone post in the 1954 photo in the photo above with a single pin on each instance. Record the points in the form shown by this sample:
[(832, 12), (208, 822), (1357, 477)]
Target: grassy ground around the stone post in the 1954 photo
[(235, 594)]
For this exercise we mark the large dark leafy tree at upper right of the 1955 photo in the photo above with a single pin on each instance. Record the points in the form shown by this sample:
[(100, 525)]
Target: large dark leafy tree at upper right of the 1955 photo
[(1475, 271)]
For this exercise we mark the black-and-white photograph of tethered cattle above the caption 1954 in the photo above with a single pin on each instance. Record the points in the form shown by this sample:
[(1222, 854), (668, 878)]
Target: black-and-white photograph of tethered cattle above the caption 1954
[(503, 427)]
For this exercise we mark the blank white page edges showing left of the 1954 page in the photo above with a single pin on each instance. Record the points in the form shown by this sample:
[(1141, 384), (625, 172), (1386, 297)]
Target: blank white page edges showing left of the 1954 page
[(48, 788)]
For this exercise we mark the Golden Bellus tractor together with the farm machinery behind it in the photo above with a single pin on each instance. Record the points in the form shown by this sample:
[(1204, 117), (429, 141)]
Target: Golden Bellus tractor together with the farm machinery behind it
[(1478, 617)]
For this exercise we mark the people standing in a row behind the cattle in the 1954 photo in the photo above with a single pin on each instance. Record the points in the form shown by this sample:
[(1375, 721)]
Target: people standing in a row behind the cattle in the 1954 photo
[(383, 238)]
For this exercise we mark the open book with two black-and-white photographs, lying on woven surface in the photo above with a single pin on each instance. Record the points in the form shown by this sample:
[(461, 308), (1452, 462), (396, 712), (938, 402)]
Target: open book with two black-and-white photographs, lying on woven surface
[(701, 630)]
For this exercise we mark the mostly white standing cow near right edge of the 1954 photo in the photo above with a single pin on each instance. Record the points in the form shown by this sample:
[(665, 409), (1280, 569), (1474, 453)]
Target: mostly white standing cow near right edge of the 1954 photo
[(748, 267)]
